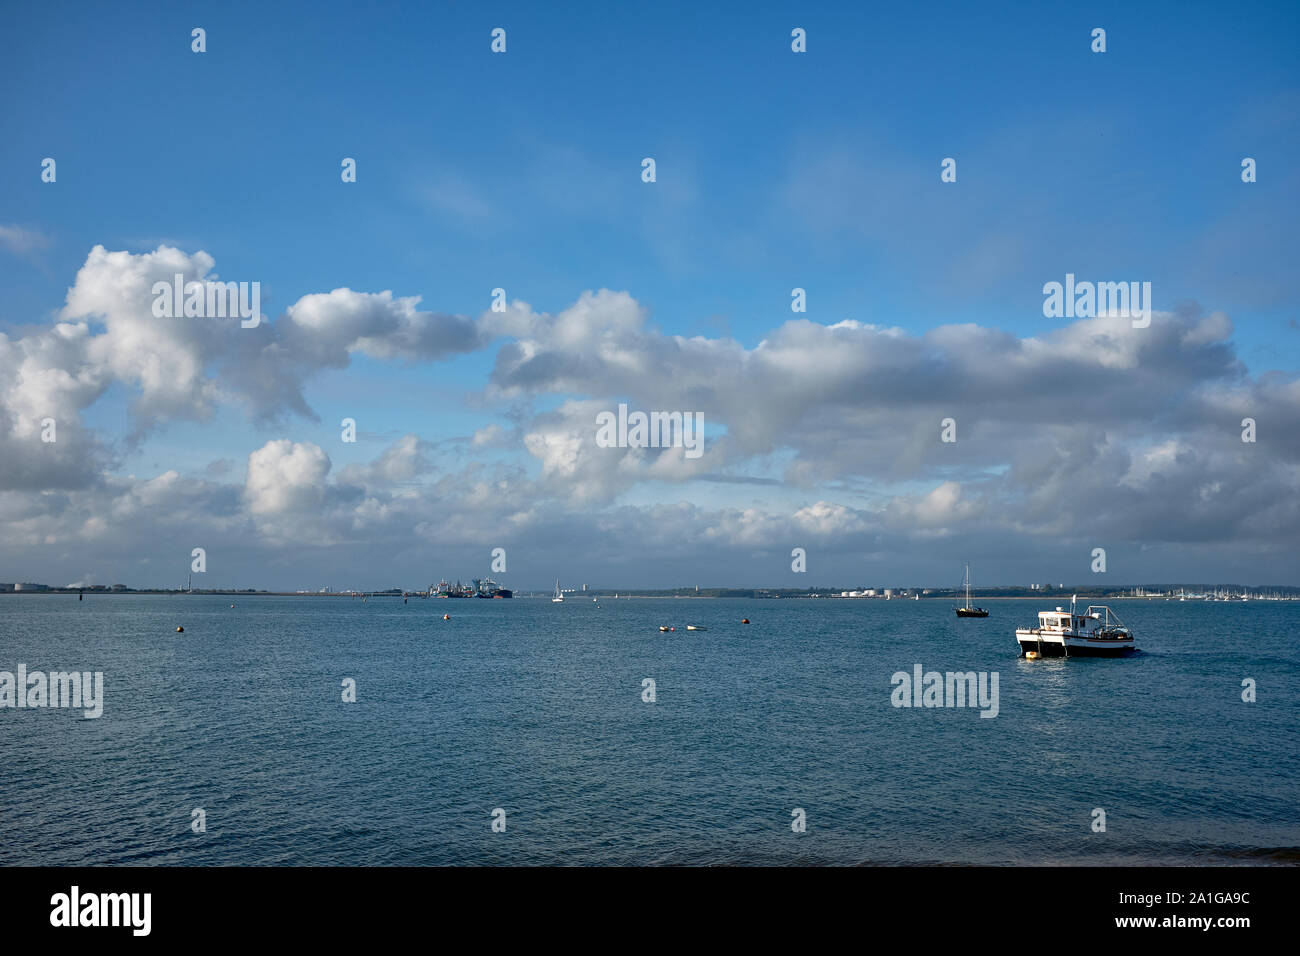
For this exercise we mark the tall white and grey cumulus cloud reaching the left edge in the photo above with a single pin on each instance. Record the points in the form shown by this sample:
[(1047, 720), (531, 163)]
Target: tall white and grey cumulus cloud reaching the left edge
[(184, 369)]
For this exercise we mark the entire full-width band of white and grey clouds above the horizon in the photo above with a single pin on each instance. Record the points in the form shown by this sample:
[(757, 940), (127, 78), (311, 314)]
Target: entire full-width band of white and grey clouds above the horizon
[(826, 436)]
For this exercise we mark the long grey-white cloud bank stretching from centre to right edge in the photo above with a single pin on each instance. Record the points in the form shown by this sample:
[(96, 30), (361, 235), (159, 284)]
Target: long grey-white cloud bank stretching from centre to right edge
[(1047, 426)]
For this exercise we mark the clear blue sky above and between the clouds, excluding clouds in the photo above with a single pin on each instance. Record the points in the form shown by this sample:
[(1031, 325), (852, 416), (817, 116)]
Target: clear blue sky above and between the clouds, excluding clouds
[(775, 171)]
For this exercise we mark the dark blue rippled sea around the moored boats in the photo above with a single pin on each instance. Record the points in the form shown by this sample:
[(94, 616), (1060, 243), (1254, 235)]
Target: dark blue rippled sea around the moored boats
[(526, 733)]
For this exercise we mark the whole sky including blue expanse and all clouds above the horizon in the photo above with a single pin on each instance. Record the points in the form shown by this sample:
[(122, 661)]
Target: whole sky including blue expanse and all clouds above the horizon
[(774, 171)]
